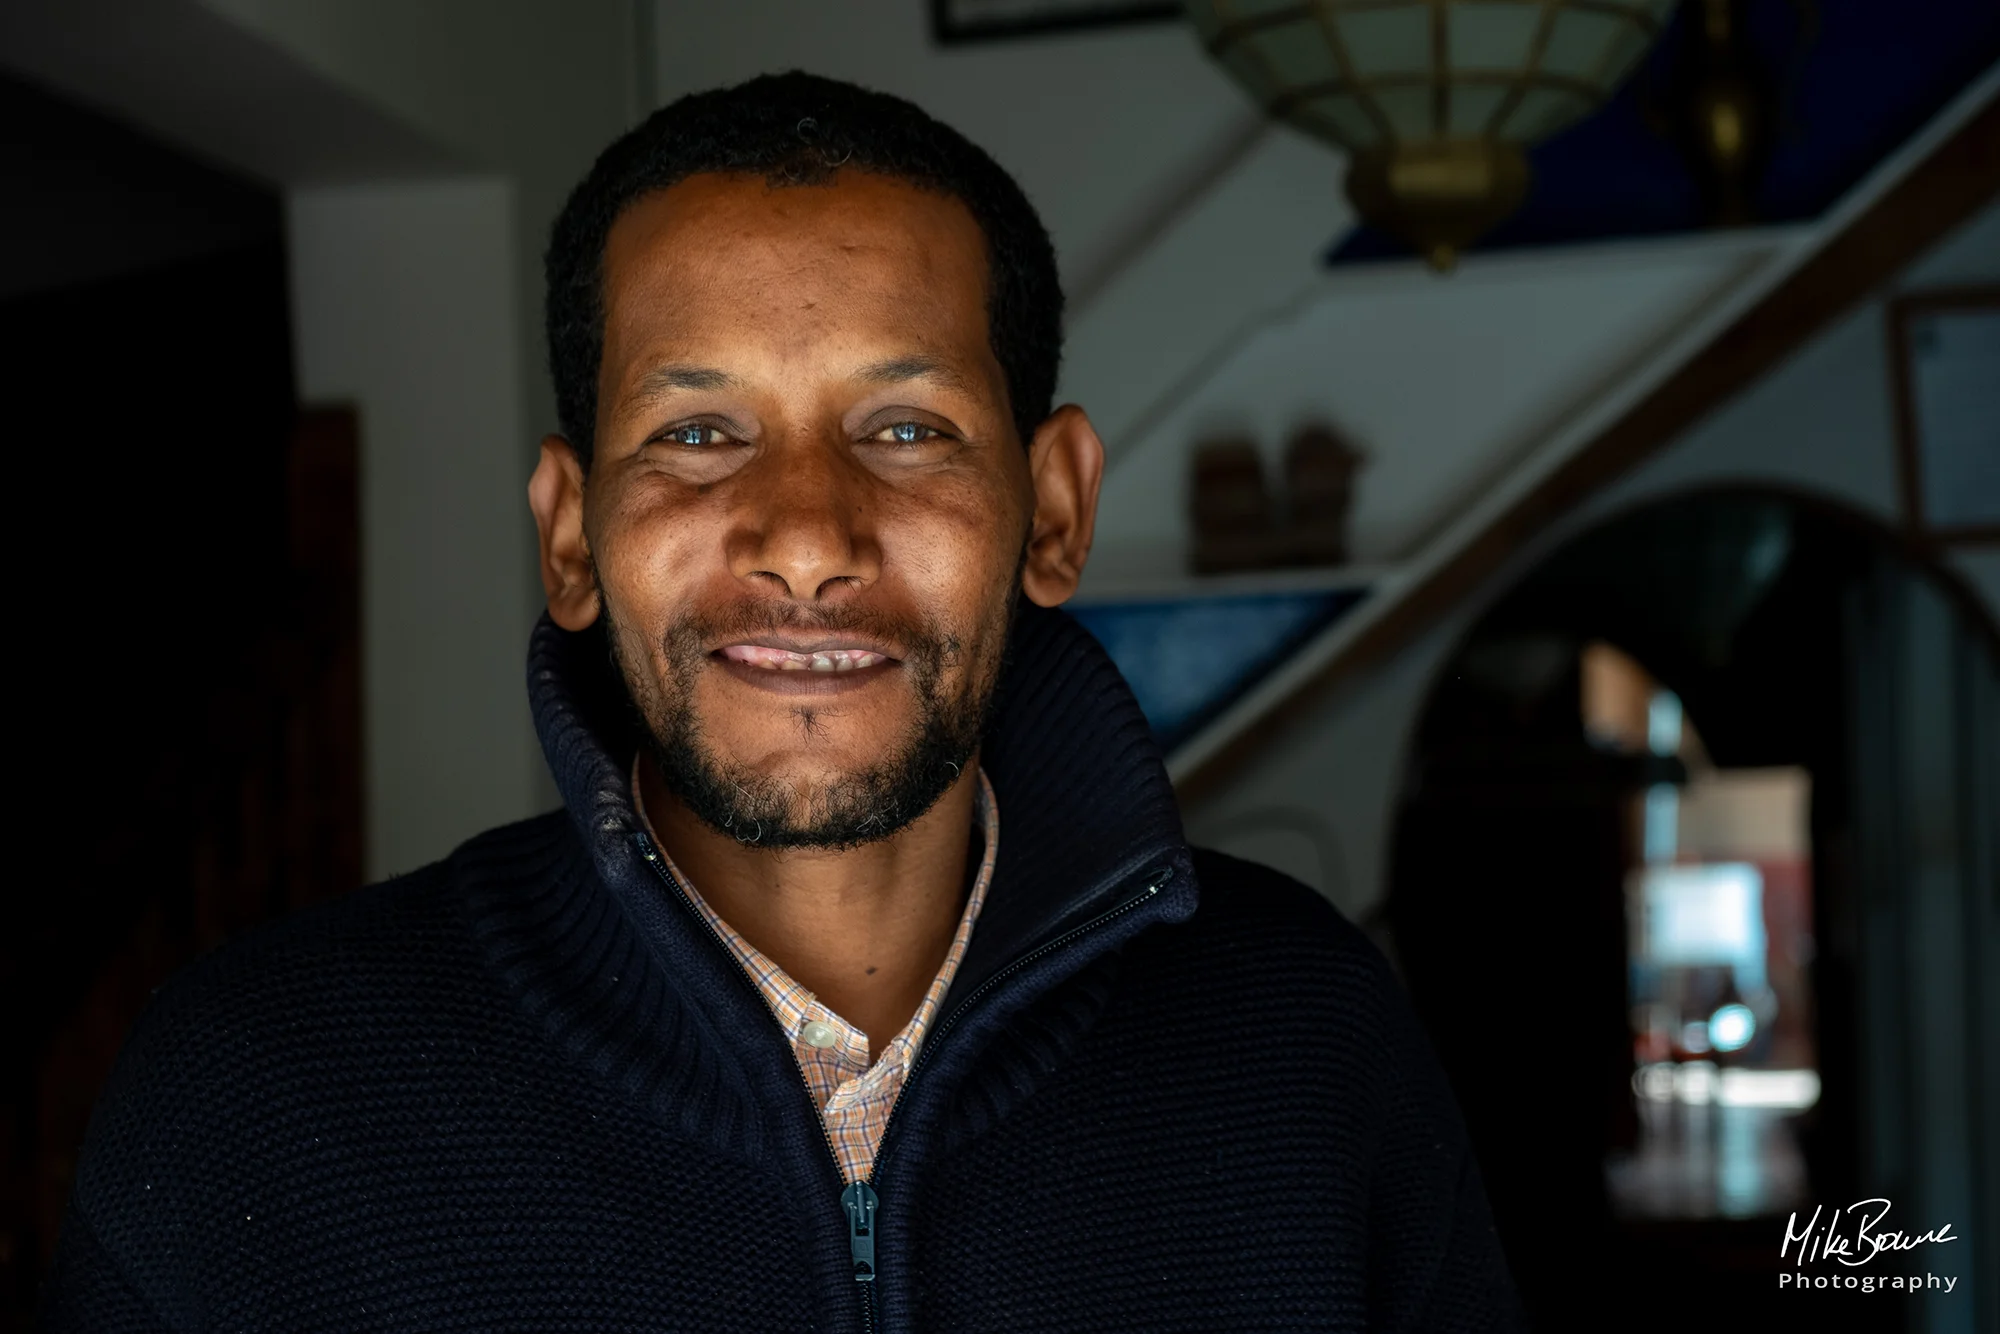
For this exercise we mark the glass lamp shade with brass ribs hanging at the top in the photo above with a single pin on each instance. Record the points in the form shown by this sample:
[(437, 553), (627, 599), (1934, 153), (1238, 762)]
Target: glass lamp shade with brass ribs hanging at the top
[(1431, 99)]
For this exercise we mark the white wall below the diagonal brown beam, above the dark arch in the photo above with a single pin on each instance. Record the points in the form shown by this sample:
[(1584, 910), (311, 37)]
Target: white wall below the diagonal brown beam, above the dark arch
[(1819, 423)]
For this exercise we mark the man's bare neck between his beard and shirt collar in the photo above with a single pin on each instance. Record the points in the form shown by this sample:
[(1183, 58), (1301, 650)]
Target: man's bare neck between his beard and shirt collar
[(863, 929)]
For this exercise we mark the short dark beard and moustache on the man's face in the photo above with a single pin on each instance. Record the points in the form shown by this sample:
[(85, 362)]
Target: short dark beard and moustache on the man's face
[(849, 809)]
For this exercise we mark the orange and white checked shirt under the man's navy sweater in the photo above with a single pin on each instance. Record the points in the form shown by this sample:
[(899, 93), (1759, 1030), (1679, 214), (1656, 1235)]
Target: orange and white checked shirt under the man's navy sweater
[(853, 1097)]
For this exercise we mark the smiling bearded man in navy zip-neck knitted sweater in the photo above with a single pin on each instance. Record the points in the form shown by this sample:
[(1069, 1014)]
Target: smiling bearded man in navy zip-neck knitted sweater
[(865, 981)]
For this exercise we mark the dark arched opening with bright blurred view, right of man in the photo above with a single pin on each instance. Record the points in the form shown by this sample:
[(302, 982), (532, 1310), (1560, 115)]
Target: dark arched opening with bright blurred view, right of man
[(1665, 1049)]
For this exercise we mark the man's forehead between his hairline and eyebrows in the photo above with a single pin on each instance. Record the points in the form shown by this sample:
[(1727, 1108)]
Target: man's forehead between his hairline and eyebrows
[(731, 255)]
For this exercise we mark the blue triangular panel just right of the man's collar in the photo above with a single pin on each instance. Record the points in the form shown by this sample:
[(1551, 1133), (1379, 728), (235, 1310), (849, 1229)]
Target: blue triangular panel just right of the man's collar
[(1189, 659)]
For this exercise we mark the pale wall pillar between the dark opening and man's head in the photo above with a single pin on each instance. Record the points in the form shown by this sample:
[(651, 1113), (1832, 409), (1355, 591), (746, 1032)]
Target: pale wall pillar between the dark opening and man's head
[(405, 305)]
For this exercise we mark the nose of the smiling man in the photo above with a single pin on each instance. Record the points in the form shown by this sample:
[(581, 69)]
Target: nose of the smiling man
[(805, 521)]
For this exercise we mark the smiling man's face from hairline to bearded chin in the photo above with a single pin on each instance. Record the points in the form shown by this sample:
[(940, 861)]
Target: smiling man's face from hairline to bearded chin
[(809, 507)]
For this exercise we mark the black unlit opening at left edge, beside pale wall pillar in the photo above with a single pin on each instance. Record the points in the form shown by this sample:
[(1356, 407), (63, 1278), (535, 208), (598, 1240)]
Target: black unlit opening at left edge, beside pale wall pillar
[(187, 573)]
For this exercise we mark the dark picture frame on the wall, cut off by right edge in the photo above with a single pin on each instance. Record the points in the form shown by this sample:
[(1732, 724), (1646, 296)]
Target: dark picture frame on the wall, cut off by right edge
[(1947, 469)]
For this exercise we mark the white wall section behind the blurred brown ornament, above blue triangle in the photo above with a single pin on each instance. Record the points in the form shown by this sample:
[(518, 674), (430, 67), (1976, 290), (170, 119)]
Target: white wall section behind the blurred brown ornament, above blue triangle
[(1443, 381)]
